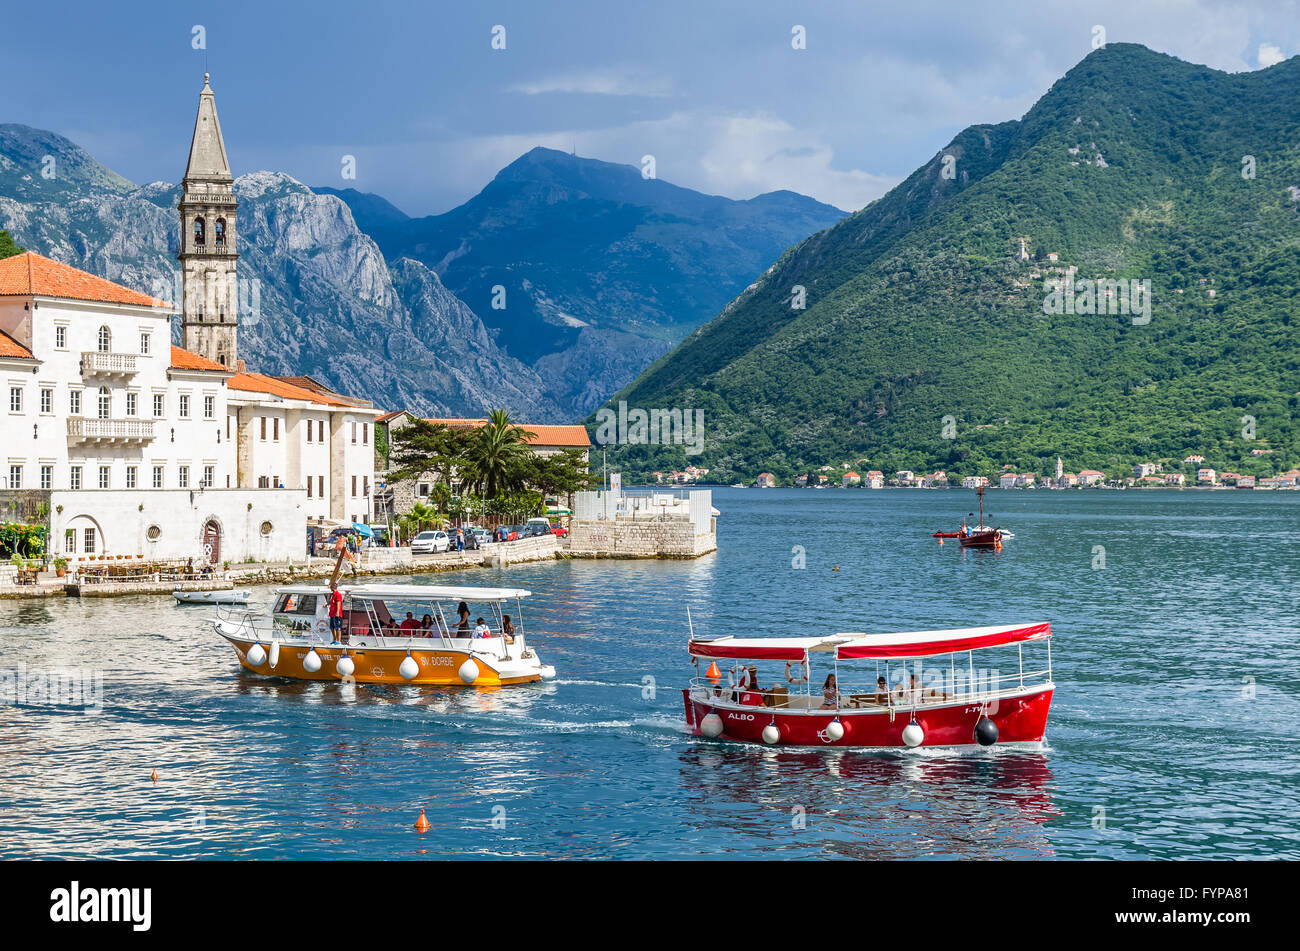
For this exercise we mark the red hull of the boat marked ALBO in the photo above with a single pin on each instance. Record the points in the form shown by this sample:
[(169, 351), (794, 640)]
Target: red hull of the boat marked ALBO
[(1021, 719)]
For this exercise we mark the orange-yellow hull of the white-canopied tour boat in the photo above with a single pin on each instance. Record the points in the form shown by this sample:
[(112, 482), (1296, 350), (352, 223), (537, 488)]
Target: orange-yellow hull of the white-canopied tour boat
[(439, 667)]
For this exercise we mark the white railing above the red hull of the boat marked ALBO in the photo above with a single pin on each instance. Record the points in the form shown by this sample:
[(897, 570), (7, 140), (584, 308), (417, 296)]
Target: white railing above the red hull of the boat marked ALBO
[(981, 689)]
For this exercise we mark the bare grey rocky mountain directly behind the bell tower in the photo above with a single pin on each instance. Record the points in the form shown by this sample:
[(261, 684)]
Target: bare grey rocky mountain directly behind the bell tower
[(324, 299)]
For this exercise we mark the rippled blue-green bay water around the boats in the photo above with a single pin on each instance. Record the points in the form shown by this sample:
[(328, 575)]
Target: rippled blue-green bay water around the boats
[(1177, 711)]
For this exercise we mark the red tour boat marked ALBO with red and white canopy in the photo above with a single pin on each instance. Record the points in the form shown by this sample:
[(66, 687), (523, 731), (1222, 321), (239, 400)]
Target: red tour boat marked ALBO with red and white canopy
[(925, 689)]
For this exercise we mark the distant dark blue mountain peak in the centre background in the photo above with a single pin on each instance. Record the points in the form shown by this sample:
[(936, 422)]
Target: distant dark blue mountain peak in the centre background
[(600, 270)]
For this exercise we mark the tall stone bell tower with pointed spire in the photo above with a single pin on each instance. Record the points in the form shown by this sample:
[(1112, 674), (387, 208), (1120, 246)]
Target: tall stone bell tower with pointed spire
[(210, 293)]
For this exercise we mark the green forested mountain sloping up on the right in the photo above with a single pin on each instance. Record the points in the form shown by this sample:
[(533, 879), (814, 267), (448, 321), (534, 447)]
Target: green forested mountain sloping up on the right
[(1134, 166)]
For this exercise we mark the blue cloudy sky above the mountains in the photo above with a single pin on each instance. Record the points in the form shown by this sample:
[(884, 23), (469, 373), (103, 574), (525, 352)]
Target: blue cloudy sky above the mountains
[(712, 89)]
